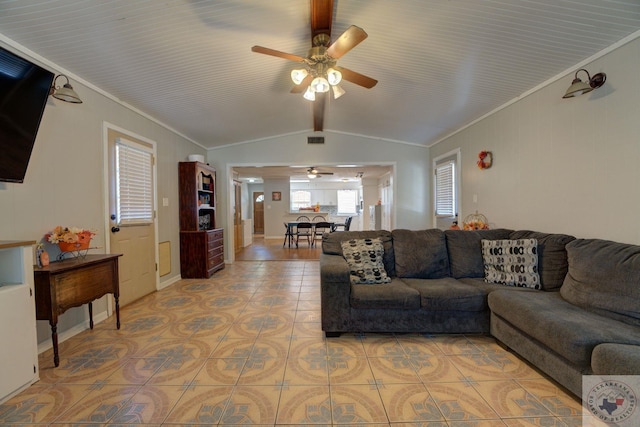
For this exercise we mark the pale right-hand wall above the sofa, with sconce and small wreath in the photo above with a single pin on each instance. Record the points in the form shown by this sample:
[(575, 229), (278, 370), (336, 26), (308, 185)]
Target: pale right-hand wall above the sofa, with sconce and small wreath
[(561, 165)]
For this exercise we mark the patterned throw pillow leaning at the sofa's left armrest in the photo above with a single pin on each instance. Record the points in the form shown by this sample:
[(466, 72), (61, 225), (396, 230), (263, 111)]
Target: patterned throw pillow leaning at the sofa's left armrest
[(364, 257)]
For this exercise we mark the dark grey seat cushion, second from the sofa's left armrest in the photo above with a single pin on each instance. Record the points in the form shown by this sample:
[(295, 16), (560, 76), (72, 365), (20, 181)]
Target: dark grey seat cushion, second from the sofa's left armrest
[(448, 294)]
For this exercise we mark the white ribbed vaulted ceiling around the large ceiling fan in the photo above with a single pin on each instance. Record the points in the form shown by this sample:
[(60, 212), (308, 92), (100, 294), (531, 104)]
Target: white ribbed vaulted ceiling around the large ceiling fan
[(440, 64)]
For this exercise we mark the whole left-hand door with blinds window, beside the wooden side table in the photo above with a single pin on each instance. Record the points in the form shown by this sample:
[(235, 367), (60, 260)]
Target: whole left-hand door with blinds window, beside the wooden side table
[(132, 212)]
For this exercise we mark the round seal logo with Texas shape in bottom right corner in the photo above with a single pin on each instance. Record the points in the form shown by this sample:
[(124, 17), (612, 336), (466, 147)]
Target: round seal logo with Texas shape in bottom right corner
[(612, 401)]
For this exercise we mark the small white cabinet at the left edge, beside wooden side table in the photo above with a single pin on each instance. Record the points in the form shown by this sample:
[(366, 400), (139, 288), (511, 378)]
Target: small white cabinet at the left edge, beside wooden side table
[(18, 340)]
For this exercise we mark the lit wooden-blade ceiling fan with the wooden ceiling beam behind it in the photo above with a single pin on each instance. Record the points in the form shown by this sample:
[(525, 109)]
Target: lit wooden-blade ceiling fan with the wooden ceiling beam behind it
[(320, 72)]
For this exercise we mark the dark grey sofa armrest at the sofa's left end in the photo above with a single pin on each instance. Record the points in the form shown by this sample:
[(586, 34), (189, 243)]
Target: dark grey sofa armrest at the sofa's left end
[(335, 293)]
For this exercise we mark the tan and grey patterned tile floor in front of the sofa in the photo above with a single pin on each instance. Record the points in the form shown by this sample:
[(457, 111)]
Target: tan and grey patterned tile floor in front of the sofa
[(245, 348)]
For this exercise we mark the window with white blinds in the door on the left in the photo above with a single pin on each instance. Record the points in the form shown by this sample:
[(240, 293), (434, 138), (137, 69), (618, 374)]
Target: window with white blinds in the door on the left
[(134, 183)]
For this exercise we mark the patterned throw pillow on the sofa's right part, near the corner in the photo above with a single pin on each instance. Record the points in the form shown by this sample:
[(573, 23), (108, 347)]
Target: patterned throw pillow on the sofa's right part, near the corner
[(511, 262)]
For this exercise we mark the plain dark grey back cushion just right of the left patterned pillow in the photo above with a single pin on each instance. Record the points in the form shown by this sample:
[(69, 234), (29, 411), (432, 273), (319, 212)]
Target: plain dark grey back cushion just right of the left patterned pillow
[(420, 254)]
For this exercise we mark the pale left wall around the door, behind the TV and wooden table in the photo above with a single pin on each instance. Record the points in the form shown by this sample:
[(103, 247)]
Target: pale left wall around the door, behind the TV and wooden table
[(64, 181)]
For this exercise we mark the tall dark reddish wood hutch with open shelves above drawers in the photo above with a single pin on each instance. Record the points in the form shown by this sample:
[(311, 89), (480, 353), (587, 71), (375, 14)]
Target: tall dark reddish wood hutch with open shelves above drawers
[(201, 243)]
